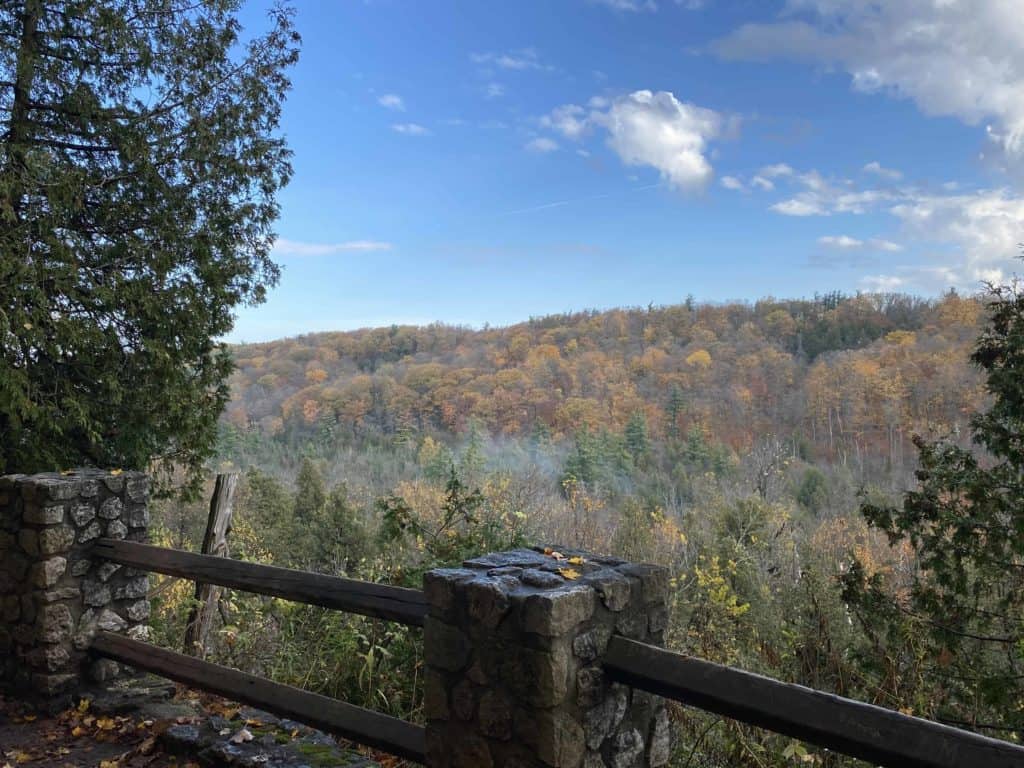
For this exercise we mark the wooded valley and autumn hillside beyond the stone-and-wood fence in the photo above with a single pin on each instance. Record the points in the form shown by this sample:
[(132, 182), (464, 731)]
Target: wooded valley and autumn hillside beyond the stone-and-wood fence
[(735, 444)]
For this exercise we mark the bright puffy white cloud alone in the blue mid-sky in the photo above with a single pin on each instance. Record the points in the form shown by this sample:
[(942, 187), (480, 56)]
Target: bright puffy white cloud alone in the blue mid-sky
[(659, 131)]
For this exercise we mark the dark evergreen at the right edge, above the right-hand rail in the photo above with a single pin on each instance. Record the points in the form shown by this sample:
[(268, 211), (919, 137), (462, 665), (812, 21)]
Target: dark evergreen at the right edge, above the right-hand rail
[(964, 617)]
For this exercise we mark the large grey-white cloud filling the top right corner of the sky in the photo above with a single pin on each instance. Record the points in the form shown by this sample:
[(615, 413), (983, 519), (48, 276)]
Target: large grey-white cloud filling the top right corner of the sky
[(963, 59)]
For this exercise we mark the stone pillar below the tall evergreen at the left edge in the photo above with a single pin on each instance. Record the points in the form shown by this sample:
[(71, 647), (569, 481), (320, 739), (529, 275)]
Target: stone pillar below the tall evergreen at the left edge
[(53, 596)]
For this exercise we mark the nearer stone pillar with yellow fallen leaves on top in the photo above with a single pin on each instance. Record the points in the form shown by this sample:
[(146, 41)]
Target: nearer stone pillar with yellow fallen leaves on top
[(514, 647)]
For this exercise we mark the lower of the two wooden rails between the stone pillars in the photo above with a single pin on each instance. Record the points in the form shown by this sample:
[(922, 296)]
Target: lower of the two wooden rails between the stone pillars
[(355, 723)]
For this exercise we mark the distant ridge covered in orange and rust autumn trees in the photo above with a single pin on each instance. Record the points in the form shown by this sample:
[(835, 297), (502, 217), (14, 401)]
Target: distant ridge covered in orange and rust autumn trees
[(848, 378)]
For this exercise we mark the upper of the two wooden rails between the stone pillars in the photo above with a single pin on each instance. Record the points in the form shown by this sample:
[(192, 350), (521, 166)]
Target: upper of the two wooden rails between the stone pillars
[(377, 601)]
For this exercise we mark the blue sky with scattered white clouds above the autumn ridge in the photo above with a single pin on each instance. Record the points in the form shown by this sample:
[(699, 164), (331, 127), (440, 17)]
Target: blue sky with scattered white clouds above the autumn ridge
[(485, 162)]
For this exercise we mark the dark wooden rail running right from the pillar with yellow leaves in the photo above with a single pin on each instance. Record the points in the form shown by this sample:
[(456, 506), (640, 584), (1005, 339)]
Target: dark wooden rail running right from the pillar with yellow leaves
[(861, 731)]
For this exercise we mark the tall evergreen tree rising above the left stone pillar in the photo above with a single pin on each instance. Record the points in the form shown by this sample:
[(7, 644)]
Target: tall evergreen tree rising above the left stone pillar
[(140, 162)]
